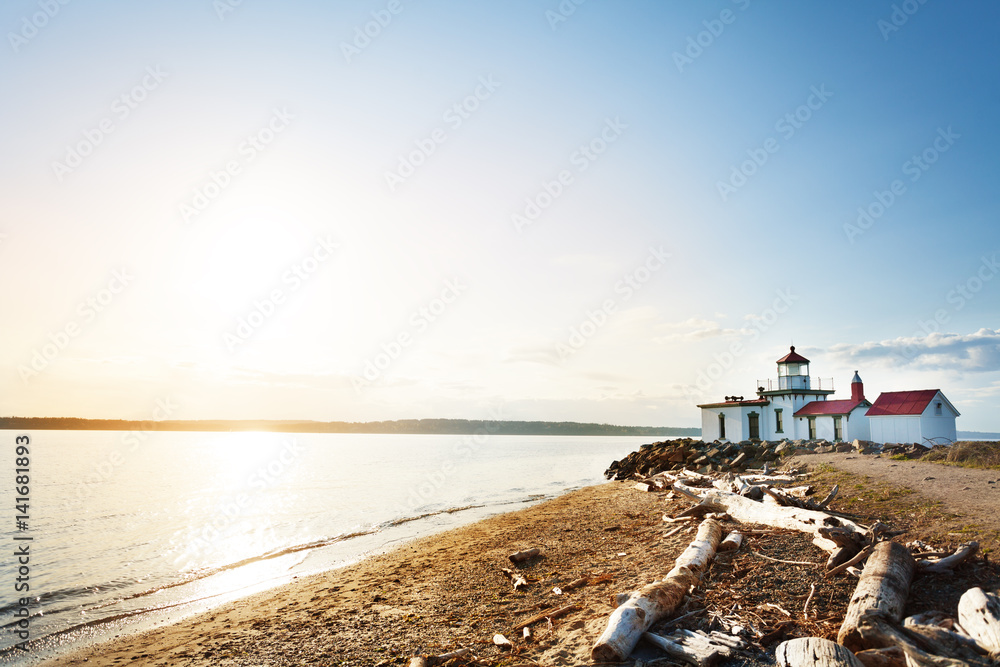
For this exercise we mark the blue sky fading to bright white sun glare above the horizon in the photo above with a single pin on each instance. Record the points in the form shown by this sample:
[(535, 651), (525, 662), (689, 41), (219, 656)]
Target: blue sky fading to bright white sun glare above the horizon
[(581, 210)]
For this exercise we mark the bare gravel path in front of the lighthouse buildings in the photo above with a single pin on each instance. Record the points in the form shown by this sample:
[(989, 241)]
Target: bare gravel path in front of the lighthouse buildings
[(968, 491)]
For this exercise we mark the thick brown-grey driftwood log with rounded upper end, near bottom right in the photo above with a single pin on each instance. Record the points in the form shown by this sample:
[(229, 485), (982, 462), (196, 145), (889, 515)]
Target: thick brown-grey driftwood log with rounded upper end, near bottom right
[(883, 587)]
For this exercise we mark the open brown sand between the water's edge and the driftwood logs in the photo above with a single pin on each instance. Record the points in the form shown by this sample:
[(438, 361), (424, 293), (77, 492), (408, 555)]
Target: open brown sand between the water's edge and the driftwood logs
[(402, 594)]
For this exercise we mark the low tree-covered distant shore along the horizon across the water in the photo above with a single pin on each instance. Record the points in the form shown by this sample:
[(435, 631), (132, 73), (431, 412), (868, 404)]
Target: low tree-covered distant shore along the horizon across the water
[(401, 426)]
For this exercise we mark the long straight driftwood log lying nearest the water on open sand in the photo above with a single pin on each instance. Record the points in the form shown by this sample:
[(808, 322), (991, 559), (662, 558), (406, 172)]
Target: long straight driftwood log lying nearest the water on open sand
[(647, 605)]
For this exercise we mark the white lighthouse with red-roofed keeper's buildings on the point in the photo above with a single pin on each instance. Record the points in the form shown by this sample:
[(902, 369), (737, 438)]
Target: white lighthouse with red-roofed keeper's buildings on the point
[(797, 407)]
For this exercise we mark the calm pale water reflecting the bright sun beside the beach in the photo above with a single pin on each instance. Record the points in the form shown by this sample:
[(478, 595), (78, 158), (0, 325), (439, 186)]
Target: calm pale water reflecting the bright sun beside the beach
[(131, 530)]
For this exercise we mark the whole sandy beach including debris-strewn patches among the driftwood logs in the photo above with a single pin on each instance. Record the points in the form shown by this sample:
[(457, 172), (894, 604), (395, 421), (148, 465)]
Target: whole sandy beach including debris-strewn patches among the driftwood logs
[(447, 591)]
